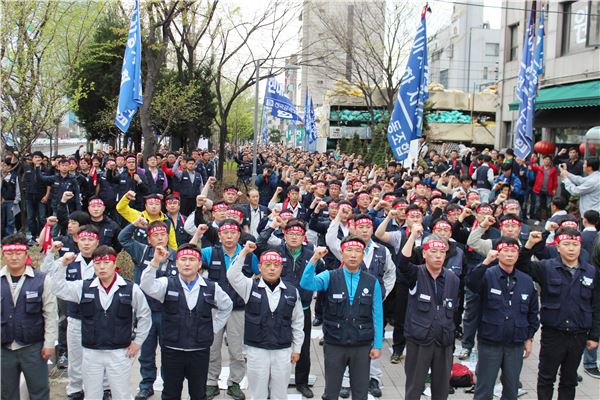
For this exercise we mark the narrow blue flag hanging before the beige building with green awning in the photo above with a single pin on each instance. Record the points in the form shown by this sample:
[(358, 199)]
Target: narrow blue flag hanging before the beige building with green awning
[(526, 92)]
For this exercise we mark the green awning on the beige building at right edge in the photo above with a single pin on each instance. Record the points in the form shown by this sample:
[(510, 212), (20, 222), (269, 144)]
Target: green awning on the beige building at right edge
[(582, 94)]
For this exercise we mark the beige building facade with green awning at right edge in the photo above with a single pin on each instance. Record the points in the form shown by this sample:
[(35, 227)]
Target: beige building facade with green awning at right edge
[(568, 101)]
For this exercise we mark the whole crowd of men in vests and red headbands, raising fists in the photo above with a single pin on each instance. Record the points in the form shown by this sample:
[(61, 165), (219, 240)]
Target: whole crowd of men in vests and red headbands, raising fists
[(448, 252)]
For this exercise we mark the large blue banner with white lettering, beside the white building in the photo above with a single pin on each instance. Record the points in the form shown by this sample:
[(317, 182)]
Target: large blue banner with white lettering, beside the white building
[(406, 122)]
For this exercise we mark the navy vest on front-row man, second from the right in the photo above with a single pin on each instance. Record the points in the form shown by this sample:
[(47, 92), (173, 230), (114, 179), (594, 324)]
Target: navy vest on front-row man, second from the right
[(504, 310)]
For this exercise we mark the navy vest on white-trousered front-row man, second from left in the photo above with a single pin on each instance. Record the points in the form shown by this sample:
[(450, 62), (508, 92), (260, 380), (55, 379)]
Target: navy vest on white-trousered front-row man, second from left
[(106, 329)]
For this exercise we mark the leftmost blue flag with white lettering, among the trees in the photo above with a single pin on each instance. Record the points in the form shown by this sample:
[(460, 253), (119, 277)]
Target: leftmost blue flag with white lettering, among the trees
[(130, 94)]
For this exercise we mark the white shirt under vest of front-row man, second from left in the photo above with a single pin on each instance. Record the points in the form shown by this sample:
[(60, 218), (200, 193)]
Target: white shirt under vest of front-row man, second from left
[(73, 290)]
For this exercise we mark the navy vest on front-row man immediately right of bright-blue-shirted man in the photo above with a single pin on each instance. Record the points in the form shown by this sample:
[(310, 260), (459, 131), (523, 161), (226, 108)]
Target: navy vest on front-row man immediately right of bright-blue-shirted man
[(426, 322)]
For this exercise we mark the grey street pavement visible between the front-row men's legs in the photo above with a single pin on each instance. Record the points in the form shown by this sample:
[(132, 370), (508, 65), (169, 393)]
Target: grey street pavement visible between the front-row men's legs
[(393, 377)]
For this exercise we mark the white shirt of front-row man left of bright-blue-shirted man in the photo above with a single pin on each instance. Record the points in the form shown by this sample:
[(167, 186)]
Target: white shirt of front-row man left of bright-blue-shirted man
[(243, 286)]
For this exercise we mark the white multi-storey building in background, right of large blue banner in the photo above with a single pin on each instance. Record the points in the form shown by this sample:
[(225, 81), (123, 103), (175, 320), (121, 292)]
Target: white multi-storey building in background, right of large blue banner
[(464, 55)]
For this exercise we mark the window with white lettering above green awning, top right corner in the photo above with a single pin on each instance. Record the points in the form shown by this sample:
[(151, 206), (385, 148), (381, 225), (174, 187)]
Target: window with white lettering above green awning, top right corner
[(575, 24)]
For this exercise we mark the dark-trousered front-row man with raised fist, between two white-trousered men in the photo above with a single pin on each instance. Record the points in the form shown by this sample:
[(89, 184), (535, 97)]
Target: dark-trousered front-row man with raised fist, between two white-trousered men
[(192, 310)]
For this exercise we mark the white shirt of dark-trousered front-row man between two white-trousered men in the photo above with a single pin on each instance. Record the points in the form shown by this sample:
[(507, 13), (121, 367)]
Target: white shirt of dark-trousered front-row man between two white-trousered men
[(157, 289)]
